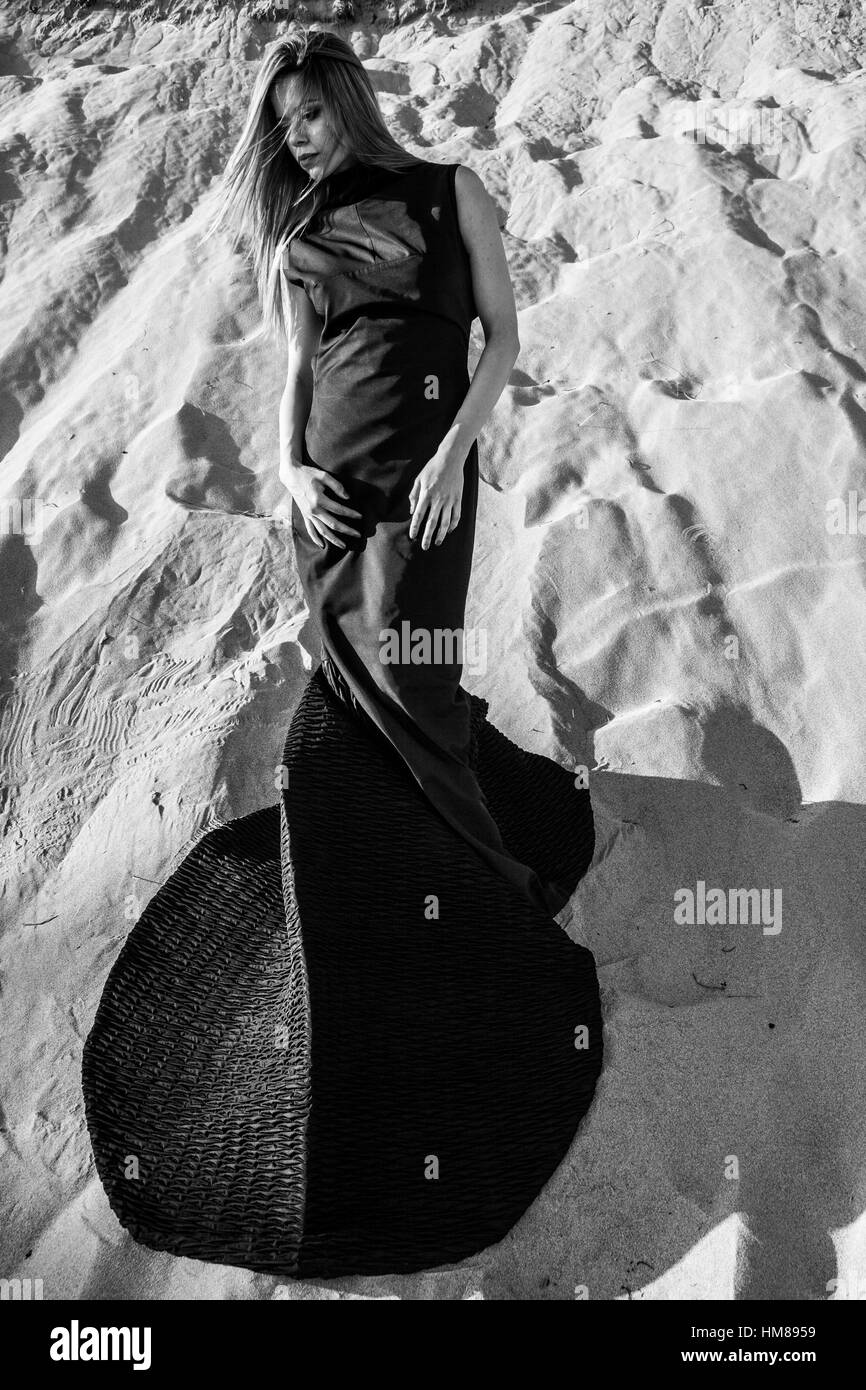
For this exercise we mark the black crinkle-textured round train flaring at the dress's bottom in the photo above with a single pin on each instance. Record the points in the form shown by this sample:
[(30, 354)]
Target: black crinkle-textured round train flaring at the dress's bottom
[(337, 1042)]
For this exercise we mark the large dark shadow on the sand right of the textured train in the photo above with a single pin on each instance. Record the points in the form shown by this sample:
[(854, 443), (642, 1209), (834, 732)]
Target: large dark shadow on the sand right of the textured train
[(735, 1052)]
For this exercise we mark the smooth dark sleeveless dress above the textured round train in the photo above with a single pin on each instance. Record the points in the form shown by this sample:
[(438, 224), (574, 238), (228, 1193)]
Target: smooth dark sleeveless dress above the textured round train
[(387, 272)]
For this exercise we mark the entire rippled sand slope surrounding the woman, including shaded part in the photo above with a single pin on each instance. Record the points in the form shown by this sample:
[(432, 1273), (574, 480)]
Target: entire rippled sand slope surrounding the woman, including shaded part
[(669, 571)]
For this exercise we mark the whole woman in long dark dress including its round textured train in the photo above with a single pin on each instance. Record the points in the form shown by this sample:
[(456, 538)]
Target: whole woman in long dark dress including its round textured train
[(441, 1036)]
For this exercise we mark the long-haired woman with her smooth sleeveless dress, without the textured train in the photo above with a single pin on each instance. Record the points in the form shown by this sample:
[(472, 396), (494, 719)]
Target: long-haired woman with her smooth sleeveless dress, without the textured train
[(384, 268)]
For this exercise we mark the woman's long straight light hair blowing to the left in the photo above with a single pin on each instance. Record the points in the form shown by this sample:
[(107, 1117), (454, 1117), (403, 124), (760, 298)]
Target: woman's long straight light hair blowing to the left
[(266, 197)]
